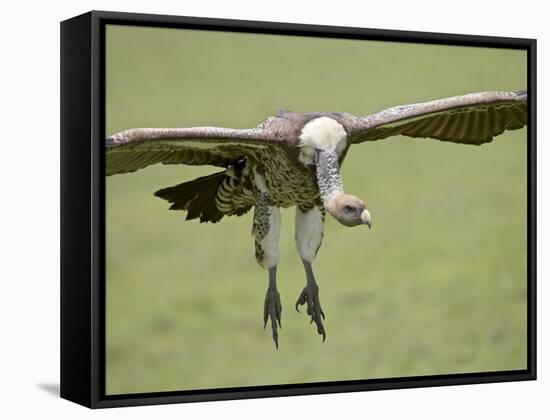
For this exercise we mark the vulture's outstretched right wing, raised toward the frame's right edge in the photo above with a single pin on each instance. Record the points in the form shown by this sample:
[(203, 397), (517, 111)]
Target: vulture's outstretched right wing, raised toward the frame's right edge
[(469, 119)]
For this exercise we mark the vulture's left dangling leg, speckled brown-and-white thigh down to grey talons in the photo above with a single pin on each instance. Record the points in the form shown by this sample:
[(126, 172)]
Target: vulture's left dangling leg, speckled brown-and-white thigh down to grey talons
[(266, 227)]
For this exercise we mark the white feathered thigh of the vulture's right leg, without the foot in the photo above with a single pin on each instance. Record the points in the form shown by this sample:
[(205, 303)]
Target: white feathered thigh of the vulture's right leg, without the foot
[(309, 233)]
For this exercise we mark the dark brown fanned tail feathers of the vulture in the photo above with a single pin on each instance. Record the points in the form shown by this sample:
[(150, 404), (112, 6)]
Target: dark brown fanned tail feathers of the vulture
[(197, 197)]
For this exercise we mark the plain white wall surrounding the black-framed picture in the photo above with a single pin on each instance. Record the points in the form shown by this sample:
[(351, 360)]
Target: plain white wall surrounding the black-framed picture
[(29, 230)]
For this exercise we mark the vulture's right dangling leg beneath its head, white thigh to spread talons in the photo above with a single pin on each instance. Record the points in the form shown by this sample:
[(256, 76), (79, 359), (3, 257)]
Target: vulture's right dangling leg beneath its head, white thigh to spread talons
[(309, 234)]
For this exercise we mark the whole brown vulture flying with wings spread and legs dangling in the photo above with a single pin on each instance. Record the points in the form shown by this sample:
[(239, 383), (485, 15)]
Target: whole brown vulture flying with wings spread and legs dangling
[(294, 159)]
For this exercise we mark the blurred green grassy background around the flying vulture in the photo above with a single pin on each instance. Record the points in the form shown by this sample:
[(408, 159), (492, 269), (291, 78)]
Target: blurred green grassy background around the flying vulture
[(437, 286)]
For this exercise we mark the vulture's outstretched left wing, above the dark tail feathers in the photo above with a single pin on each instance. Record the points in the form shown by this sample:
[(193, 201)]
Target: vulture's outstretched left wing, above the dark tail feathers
[(134, 149)]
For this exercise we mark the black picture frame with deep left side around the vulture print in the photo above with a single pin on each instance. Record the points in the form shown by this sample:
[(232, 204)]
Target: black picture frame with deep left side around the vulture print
[(83, 214)]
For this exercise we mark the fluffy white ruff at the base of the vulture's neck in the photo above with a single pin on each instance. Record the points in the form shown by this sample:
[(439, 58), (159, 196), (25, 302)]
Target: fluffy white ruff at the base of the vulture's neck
[(322, 133)]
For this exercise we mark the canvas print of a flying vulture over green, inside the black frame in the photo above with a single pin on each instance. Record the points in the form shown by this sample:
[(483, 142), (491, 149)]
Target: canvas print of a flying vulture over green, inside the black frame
[(291, 209)]
